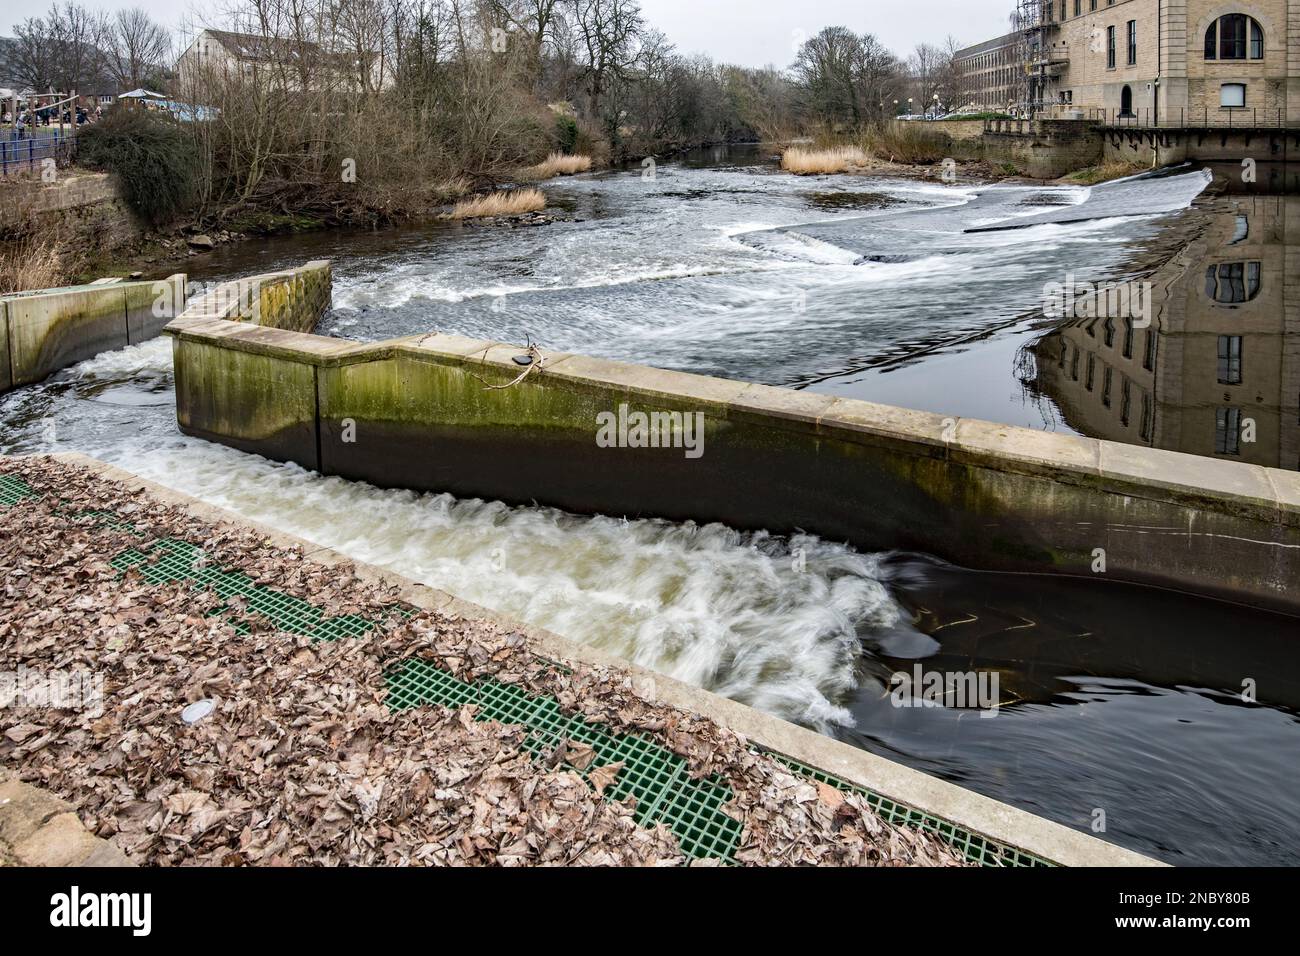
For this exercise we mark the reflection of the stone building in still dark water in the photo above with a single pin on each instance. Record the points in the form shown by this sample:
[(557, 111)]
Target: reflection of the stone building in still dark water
[(1219, 371)]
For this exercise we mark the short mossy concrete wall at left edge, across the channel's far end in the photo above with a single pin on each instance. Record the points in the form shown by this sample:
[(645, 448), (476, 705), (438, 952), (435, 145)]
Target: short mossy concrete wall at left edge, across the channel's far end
[(51, 330)]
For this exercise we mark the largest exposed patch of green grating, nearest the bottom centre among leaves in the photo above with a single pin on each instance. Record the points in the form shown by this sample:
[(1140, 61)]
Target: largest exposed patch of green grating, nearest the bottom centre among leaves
[(653, 776)]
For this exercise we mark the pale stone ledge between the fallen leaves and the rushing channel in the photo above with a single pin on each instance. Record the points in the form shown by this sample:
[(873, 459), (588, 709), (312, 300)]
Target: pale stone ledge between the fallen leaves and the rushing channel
[(981, 815)]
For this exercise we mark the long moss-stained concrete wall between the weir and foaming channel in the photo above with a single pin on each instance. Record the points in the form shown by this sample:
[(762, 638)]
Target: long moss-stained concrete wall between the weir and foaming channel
[(422, 413)]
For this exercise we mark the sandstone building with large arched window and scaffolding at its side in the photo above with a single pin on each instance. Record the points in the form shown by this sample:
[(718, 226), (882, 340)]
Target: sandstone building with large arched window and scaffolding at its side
[(1173, 63)]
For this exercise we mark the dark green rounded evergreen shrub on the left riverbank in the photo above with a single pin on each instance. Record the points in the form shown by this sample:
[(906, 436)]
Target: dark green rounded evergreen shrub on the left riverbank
[(150, 155)]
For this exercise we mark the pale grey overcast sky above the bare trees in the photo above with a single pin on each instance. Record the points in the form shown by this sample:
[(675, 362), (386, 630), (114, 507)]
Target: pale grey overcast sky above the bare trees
[(752, 33)]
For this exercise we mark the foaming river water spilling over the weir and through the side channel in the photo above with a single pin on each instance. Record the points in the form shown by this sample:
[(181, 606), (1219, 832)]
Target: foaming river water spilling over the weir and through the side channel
[(1113, 699)]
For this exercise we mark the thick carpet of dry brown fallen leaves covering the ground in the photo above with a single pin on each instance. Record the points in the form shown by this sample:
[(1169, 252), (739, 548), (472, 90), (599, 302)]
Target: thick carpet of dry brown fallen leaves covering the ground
[(301, 763)]
